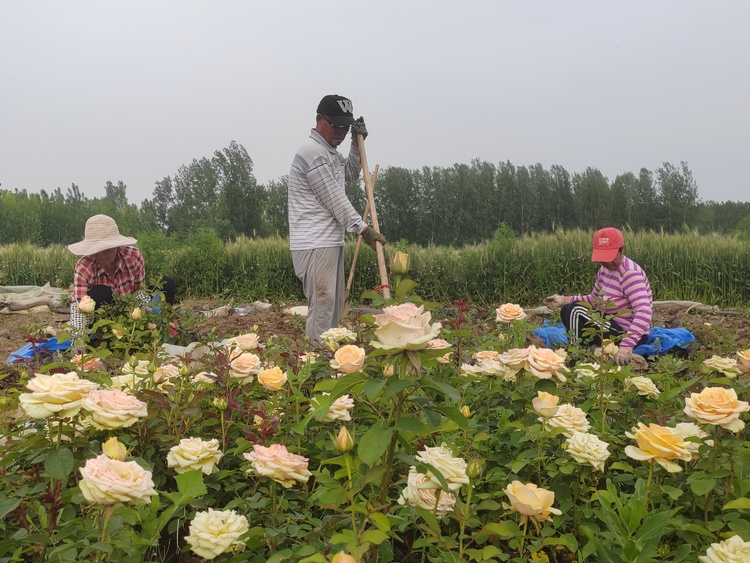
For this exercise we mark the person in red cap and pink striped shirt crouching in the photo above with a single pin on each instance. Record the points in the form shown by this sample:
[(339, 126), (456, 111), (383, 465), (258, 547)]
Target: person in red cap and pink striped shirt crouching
[(621, 292)]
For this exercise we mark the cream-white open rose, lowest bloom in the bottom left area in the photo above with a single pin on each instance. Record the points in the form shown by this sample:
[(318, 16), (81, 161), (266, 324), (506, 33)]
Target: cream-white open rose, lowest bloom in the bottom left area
[(213, 532)]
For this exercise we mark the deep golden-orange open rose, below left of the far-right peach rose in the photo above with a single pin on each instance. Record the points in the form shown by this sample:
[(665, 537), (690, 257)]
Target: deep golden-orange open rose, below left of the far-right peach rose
[(660, 444)]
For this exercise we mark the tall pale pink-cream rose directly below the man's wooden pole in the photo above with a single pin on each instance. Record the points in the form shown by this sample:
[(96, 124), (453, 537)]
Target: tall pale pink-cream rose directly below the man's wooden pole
[(404, 327)]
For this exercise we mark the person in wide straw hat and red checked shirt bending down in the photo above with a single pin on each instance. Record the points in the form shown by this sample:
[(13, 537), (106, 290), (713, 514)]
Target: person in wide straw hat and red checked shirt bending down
[(109, 265)]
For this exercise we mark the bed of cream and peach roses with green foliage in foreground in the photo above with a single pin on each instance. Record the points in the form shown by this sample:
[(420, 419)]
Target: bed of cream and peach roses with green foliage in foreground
[(404, 440)]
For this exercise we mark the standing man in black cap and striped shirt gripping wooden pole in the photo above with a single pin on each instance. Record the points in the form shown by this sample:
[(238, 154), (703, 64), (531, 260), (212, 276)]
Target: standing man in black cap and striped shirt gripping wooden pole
[(320, 212)]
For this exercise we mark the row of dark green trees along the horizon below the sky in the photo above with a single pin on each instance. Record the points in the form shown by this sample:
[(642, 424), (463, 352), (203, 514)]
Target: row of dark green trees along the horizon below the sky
[(459, 205)]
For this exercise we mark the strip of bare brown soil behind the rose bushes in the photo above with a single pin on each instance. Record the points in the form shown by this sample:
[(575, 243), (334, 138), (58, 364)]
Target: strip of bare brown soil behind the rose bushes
[(734, 330)]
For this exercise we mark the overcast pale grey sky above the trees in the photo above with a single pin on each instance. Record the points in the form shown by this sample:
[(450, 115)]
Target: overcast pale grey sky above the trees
[(92, 91)]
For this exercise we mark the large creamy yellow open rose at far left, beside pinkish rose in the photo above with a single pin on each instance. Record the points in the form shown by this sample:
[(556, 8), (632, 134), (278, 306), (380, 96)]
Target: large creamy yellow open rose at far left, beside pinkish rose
[(58, 394)]
